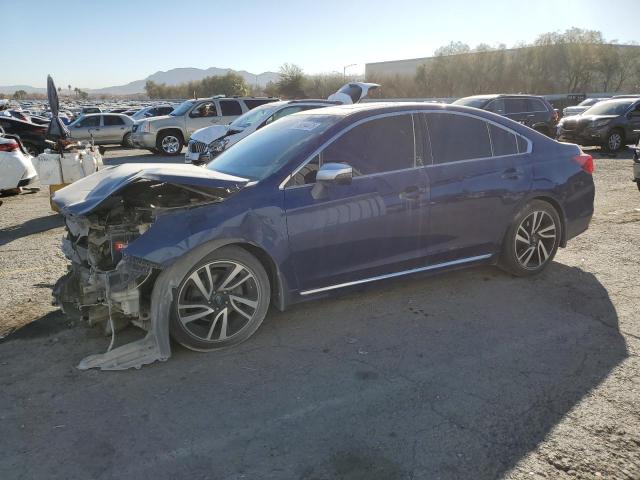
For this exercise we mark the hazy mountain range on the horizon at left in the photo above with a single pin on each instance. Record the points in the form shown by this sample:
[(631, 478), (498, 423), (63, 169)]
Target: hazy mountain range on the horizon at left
[(174, 76)]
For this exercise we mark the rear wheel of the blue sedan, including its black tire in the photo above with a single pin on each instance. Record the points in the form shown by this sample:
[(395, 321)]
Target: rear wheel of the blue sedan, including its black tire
[(517, 257)]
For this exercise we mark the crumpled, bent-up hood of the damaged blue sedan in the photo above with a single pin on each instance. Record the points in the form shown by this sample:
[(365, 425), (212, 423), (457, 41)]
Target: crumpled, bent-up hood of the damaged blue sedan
[(85, 195)]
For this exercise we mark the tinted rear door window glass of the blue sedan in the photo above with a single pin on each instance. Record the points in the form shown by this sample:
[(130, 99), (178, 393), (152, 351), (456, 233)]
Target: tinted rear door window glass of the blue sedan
[(457, 137)]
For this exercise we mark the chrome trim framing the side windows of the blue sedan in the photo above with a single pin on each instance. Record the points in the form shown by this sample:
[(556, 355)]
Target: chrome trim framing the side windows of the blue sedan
[(409, 112)]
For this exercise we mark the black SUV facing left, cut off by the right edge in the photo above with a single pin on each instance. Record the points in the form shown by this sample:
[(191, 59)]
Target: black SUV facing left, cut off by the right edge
[(610, 124)]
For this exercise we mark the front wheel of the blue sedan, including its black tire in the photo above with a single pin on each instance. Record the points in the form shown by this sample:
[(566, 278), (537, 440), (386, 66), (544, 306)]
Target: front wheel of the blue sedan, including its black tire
[(205, 333)]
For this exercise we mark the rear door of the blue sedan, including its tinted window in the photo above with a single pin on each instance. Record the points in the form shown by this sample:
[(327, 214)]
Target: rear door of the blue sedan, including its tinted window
[(479, 175)]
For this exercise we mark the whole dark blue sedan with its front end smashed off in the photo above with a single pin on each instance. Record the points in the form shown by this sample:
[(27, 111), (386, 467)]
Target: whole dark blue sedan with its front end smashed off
[(313, 204)]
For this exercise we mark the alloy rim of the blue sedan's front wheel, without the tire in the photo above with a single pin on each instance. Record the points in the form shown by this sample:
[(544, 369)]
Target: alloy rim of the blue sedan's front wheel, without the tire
[(218, 300)]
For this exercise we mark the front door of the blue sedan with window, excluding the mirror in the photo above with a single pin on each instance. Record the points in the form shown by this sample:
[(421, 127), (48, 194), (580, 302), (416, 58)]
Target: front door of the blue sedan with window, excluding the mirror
[(368, 228)]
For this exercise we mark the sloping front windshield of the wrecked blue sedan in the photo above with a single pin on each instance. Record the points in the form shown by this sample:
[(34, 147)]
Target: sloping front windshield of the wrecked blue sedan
[(265, 151)]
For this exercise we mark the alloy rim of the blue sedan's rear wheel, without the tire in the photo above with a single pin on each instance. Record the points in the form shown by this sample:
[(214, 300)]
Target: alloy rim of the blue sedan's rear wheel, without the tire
[(535, 240)]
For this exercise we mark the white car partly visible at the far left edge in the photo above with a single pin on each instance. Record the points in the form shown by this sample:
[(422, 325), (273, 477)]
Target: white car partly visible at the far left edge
[(16, 168)]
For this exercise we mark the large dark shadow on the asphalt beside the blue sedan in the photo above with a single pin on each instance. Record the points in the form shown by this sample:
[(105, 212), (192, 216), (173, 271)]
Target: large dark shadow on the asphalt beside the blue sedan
[(452, 376)]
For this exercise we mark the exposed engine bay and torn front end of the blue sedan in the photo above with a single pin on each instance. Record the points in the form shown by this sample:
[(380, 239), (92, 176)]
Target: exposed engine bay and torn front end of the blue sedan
[(103, 285)]
